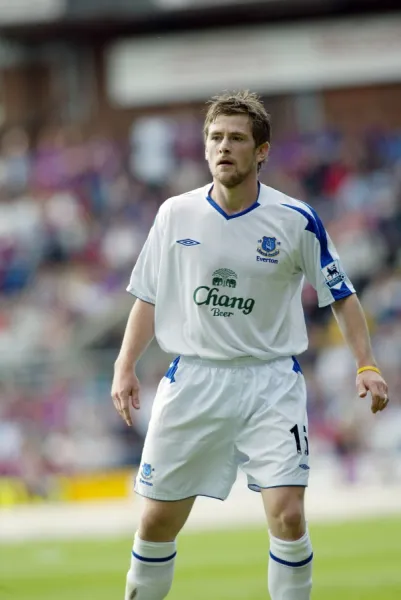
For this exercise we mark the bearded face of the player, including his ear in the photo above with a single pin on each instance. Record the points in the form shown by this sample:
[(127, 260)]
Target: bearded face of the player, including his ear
[(231, 151)]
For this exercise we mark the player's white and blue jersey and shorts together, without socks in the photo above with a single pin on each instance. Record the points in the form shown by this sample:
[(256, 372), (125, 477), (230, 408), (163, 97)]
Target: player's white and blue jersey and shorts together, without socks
[(227, 295)]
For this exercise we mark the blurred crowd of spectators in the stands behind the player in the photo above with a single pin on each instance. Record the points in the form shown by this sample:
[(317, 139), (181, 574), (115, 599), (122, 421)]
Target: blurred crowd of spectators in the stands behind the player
[(74, 213)]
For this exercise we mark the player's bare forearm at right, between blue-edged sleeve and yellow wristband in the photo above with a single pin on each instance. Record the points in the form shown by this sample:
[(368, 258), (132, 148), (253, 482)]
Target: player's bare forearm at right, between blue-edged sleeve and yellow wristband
[(352, 322)]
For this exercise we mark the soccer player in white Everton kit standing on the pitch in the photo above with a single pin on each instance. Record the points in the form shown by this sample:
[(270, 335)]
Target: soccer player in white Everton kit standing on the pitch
[(218, 283)]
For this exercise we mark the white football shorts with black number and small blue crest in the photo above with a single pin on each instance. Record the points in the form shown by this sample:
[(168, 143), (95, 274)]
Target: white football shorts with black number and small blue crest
[(210, 418)]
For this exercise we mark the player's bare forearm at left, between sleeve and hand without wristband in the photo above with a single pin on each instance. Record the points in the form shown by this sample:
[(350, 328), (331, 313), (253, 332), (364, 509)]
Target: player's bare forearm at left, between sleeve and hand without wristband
[(138, 334)]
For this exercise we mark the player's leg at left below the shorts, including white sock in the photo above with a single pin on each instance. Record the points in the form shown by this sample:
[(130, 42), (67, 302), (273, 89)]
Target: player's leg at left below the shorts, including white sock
[(153, 555)]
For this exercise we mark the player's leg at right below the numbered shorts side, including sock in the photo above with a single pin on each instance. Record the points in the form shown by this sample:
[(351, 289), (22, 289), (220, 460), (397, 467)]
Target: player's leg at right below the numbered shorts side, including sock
[(290, 562)]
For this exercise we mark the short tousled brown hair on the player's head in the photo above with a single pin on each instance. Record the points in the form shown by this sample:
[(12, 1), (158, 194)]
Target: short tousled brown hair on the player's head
[(243, 102)]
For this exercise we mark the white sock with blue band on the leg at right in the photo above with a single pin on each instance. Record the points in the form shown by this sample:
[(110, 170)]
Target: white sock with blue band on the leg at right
[(290, 569)]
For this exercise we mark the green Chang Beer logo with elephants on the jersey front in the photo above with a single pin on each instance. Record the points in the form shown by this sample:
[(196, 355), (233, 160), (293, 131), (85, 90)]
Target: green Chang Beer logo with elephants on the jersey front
[(220, 301)]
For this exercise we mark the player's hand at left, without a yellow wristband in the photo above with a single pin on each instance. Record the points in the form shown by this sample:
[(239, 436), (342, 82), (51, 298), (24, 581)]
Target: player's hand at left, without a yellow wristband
[(125, 391)]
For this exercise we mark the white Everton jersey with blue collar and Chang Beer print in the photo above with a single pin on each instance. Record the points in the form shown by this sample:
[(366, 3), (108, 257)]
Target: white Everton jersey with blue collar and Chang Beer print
[(228, 286)]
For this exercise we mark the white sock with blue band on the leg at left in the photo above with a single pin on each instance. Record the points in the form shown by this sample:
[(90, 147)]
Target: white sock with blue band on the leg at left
[(152, 568)]
